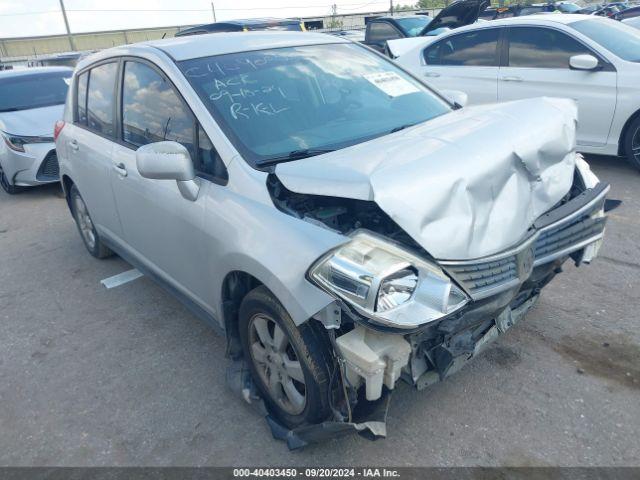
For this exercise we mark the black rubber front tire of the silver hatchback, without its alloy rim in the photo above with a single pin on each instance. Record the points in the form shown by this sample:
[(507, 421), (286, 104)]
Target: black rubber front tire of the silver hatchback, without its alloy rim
[(310, 348)]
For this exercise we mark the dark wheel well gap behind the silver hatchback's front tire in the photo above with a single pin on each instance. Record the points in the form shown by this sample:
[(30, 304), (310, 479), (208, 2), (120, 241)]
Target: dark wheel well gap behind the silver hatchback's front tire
[(235, 287)]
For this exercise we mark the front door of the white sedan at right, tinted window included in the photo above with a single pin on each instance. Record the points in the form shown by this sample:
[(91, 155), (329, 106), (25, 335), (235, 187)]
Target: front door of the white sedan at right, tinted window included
[(537, 64)]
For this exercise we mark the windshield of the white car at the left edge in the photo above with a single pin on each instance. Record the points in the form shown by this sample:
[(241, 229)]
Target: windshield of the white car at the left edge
[(26, 91)]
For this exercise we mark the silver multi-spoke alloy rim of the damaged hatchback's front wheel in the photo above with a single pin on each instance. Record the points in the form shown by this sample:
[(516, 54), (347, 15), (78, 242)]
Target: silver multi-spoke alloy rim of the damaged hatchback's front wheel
[(277, 363)]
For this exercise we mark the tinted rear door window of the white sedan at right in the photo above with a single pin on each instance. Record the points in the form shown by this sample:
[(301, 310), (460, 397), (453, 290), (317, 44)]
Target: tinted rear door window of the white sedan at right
[(476, 48)]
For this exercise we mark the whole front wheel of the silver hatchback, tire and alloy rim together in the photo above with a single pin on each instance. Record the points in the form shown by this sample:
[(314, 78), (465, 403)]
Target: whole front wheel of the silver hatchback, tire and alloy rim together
[(289, 364)]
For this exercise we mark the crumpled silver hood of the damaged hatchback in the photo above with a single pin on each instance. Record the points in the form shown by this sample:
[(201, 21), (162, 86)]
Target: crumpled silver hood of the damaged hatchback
[(464, 185)]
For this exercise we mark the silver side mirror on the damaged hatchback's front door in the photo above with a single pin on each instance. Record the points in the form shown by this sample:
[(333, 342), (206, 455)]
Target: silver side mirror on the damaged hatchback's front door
[(169, 161)]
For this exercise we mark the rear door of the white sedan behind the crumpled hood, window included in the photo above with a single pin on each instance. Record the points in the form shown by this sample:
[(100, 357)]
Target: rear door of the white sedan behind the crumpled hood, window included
[(466, 61)]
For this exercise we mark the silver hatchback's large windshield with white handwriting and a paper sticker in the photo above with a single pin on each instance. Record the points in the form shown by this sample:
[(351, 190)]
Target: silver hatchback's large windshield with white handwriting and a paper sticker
[(277, 104)]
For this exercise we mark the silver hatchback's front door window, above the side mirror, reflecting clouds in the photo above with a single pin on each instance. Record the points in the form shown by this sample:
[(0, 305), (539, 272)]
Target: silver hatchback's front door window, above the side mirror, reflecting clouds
[(152, 110)]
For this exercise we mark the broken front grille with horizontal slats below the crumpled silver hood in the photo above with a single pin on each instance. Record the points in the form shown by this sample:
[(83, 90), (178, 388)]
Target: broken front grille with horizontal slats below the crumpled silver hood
[(483, 278)]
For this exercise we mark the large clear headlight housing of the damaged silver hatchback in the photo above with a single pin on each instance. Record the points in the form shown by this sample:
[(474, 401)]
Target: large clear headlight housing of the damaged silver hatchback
[(386, 283)]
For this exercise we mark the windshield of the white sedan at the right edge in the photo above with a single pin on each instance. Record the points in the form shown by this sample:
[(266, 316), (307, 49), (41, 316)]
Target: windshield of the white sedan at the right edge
[(620, 39)]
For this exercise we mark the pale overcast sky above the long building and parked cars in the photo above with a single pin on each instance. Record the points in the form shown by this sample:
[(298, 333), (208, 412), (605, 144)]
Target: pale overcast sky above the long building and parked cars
[(23, 18)]
